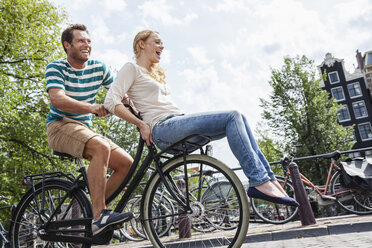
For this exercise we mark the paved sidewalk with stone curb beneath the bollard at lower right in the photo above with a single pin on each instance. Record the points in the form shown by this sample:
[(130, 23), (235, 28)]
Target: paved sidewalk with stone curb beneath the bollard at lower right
[(258, 232)]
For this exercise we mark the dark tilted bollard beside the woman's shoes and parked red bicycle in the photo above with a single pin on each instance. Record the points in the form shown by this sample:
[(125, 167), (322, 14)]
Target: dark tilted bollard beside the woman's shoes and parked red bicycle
[(305, 210)]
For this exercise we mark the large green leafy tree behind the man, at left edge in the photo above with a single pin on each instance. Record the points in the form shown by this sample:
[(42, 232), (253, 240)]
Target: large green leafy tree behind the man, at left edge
[(29, 34)]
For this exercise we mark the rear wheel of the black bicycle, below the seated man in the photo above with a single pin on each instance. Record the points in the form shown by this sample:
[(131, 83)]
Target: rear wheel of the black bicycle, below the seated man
[(26, 221)]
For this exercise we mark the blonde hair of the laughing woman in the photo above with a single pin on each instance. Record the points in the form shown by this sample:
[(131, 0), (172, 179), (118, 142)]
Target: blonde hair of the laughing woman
[(156, 72)]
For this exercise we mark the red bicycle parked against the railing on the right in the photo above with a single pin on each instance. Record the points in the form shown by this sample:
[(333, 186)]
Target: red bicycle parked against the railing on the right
[(355, 201)]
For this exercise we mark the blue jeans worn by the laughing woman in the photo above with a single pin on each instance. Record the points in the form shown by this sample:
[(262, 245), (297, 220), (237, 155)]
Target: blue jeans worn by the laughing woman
[(217, 125)]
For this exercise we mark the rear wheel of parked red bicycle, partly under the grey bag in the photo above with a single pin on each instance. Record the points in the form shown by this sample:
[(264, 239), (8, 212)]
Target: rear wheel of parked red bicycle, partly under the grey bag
[(356, 201)]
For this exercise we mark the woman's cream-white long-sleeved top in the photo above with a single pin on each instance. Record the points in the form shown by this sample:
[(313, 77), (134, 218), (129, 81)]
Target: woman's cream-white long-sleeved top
[(150, 97)]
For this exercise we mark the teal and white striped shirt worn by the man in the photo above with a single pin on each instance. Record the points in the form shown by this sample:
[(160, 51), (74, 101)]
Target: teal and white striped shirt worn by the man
[(79, 84)]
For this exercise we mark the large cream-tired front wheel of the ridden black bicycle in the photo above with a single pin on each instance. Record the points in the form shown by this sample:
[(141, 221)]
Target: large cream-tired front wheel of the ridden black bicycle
[(195, 163)]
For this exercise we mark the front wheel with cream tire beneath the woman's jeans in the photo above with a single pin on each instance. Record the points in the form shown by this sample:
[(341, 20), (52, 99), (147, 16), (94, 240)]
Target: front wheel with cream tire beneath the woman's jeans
[(229, 199)]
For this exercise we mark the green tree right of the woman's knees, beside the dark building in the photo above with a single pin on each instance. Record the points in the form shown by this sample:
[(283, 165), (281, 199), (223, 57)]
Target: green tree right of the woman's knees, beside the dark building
[(299, 111)]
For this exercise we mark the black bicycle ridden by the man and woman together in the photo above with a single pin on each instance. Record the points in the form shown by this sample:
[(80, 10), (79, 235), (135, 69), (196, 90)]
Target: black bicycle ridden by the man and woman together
[(56, 211)]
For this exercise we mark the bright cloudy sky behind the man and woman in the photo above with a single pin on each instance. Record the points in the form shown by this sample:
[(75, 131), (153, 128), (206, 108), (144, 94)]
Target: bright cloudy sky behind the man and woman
[(219, 54)]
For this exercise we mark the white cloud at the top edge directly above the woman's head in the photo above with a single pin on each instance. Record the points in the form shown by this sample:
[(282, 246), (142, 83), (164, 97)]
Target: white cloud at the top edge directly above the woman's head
[(161, 11)]
